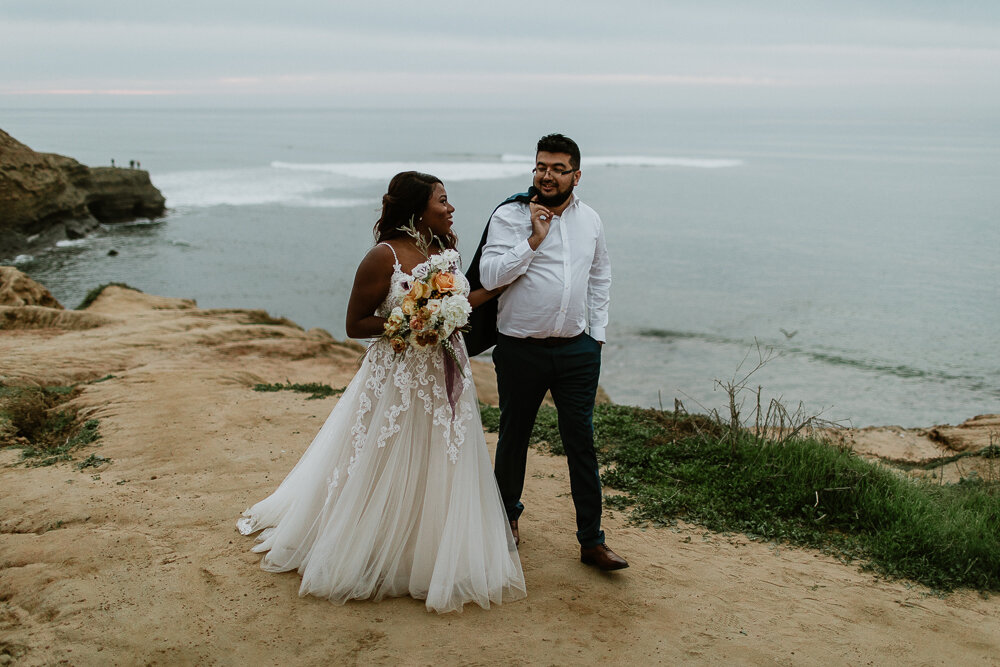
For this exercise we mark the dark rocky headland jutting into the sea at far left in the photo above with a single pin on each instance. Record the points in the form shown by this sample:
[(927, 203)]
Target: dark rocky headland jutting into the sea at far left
[(46, 197)]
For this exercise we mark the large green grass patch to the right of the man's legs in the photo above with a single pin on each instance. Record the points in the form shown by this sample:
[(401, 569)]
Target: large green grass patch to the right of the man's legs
[(800, 491)]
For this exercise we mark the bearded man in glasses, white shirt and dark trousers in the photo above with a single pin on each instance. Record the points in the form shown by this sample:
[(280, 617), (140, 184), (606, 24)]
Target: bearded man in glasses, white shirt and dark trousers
[(552, 254)]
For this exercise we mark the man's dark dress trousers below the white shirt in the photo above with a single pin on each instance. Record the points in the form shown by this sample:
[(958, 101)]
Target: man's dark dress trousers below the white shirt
[(525, 371)]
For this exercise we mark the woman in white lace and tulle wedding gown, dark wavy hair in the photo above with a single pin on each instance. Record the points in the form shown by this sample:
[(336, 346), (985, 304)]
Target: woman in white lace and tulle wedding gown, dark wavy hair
[(396, 494)]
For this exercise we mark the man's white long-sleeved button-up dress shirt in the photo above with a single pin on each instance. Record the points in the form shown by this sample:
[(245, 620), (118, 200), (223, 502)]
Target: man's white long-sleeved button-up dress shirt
[(559, 289)]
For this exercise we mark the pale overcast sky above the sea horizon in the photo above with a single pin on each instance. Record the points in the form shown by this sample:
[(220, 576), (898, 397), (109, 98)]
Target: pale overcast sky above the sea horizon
[(438, 53)]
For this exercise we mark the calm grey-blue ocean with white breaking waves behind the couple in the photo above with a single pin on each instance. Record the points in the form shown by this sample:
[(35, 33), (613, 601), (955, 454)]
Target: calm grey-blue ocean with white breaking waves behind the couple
[(855, 250)]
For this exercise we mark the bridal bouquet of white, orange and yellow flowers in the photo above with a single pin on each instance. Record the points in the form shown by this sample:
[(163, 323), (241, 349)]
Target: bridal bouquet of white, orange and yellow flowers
[(433, 309)]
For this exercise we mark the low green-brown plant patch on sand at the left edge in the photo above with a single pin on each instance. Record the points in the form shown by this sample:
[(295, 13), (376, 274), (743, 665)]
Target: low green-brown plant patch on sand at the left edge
[(33, 420)]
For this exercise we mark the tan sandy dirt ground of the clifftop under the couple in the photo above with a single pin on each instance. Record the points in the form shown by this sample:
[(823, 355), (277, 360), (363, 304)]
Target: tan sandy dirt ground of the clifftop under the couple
[(139, 561)]
